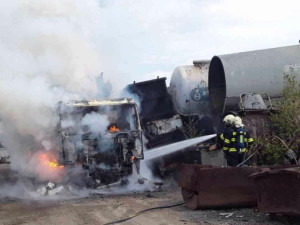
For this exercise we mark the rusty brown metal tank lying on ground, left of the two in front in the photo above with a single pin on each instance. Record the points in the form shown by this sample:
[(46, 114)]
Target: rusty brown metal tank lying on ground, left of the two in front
[(215, 187)]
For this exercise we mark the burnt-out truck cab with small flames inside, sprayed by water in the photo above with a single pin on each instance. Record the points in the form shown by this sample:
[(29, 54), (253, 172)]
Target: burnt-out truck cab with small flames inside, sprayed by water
[(102, 136)]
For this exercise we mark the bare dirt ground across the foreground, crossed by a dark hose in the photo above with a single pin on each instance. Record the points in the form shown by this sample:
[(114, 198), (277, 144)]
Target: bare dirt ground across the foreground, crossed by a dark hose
[(104, 209)]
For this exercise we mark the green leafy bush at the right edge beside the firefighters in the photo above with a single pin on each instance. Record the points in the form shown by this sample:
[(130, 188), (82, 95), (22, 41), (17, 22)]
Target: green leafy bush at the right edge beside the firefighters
[(285, 124)]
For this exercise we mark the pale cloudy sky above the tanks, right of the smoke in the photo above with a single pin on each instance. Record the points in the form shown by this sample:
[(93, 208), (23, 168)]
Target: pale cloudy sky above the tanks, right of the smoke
[(142, 39)]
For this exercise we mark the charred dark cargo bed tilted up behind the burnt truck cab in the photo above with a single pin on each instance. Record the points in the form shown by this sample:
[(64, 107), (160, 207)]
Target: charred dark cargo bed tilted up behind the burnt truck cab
[(161, 123)]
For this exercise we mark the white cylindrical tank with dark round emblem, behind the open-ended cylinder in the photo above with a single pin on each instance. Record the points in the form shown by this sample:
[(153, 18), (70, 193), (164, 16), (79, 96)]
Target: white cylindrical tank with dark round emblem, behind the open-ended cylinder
[(189, 89)]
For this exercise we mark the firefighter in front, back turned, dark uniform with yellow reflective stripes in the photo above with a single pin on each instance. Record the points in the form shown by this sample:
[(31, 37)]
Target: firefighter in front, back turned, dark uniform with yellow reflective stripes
[(237, 142)]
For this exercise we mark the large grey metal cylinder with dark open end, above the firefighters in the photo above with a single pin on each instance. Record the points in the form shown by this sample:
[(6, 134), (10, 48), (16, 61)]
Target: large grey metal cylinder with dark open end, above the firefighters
[(259, 71)]
